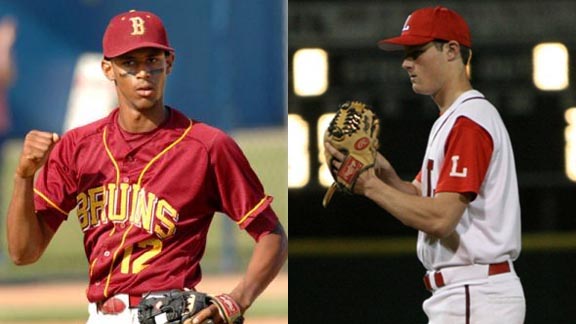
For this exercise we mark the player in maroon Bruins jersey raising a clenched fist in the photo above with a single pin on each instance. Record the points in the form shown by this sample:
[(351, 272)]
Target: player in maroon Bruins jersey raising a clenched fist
[(146, 182)]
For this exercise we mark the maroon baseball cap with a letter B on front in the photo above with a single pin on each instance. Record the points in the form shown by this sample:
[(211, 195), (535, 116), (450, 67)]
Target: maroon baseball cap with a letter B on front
[(133, 30)]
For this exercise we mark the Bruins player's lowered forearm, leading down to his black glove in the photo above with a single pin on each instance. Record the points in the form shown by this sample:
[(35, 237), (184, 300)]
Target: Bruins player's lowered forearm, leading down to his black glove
[(269, 255)]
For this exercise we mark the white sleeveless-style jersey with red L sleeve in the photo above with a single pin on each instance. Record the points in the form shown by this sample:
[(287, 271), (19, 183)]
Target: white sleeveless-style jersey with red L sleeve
[(469, 151)]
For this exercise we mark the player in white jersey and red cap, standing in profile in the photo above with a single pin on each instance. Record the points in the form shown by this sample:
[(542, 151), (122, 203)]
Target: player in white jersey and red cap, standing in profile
[(464, 201)]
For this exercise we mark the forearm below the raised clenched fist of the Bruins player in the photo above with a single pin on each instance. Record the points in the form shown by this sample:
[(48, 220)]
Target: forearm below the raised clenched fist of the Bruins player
[(27, 236)]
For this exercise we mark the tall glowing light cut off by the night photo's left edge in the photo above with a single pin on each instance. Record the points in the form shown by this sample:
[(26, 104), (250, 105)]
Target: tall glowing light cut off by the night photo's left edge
[(298, 152)]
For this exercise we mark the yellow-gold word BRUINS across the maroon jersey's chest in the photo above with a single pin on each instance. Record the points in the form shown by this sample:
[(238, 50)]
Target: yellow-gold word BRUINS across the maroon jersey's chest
[(128, 203)]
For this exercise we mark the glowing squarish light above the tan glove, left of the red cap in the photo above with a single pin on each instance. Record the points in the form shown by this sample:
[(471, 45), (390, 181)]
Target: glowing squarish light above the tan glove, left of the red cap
[(310, 72)]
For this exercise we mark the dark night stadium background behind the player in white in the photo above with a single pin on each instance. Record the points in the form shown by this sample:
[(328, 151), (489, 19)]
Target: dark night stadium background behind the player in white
[(356, 263)]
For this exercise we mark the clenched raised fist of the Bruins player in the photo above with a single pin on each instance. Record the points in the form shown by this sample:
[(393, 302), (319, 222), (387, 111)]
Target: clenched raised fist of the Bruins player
[(37, 146)]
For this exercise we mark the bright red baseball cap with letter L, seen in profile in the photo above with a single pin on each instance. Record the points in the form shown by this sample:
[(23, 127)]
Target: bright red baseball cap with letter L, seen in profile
[(428, 24)]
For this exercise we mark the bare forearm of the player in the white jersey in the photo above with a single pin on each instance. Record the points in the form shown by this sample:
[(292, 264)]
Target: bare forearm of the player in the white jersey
[(435, 216)]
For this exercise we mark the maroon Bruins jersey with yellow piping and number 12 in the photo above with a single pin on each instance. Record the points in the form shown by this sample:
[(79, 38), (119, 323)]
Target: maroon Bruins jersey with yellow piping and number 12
[(145, 201)]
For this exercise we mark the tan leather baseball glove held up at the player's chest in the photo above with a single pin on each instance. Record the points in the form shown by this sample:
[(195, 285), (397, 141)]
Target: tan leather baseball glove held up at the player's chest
[(353, 131)]
